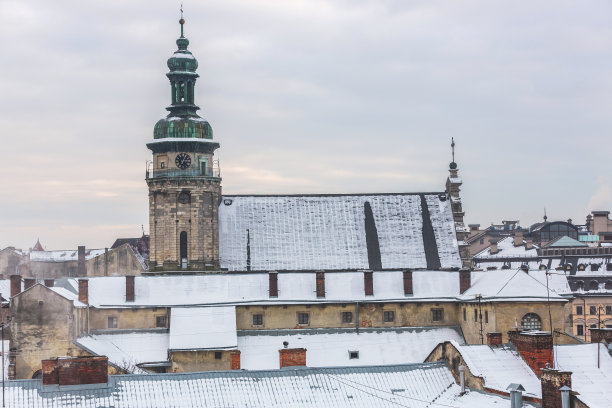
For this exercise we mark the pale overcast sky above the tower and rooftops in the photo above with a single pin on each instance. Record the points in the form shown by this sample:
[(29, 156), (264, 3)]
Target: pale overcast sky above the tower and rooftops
[(305, 97)]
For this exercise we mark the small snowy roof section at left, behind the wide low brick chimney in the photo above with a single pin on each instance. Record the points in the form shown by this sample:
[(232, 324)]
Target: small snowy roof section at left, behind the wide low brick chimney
[(126, 350)]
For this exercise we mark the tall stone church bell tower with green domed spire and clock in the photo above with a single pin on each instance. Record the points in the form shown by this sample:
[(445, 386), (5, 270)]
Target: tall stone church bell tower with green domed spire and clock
[(183, 178)]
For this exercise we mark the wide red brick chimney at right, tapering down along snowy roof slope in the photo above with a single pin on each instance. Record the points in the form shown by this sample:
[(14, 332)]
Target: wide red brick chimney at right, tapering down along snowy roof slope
[(535, 347)]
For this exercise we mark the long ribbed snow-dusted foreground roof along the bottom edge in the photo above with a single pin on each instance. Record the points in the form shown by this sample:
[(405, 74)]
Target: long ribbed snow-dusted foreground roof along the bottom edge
[(417, 386)]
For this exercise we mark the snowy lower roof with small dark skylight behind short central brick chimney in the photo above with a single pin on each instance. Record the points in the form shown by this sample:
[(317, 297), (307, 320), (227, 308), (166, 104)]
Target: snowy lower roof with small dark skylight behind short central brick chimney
[(330, 347)]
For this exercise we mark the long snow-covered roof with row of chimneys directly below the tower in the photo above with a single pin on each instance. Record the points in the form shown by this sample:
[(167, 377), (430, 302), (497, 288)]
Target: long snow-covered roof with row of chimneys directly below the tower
[(253, 287)]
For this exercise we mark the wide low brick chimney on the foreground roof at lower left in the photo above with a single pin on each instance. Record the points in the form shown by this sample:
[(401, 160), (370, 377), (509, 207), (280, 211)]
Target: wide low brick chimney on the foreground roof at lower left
[(75, 370)]
